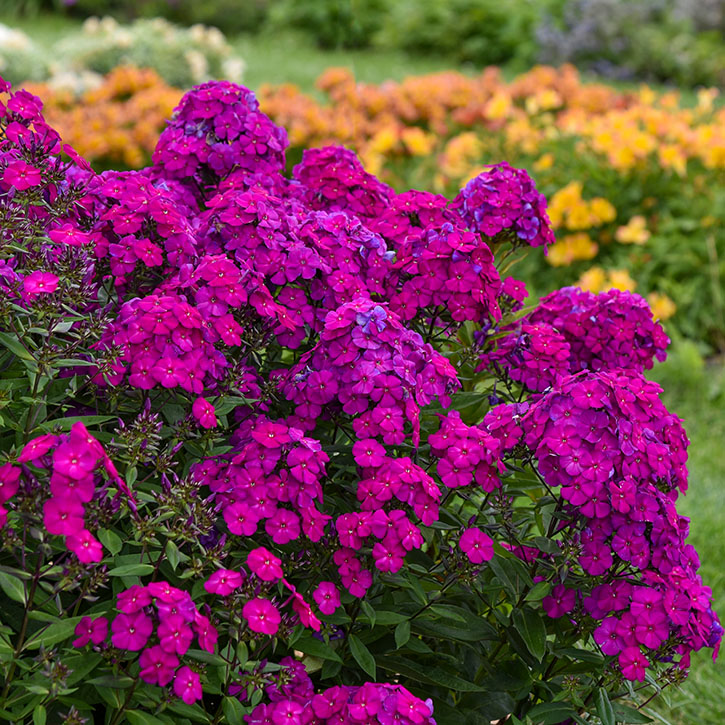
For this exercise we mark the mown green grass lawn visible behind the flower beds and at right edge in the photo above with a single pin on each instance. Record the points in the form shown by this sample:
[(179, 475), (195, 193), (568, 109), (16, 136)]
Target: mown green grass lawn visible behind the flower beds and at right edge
[(695, 393)]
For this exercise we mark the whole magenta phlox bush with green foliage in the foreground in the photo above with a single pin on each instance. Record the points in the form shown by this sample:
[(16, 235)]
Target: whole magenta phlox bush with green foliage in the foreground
[(290, 450)]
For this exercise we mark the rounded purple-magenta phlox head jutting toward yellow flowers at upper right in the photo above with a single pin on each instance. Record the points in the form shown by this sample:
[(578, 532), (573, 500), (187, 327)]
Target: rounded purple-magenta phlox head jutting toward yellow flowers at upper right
[(503, 198)]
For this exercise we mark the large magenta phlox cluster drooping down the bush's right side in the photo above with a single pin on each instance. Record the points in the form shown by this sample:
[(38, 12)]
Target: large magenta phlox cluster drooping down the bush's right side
[(606, 442)]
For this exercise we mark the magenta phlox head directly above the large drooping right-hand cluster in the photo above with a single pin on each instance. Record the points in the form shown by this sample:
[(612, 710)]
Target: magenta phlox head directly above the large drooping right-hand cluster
[(604, 331)]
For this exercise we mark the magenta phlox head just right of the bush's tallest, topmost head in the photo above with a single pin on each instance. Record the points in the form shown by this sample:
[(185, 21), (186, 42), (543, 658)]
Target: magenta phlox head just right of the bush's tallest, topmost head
[(332, 179)]
